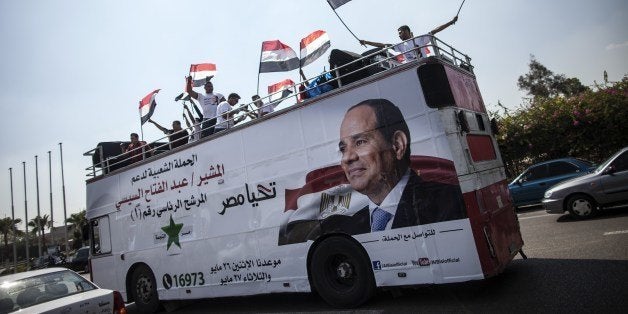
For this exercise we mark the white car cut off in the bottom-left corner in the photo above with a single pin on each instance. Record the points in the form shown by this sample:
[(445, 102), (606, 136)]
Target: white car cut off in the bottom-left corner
[(56, 290)]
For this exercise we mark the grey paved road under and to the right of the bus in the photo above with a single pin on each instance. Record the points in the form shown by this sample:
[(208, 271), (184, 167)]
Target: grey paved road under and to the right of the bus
[(572, 267)]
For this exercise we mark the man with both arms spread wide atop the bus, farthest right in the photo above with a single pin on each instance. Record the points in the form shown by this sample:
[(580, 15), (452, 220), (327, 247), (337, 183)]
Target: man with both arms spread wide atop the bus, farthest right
[(409, 47)]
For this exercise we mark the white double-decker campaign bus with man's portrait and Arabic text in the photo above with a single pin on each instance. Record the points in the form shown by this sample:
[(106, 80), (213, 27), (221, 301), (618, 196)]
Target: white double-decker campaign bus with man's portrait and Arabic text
[(392, 178)]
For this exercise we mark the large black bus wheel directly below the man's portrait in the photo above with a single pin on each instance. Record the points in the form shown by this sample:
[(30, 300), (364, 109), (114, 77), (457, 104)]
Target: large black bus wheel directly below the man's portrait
[(341, 273)]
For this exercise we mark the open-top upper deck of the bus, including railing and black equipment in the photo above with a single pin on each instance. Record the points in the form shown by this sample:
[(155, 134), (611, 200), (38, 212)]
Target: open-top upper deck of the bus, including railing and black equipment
[(107, 156)]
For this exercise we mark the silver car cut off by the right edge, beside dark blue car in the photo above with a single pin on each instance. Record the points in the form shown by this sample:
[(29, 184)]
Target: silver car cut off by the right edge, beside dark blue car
[(584, 196)]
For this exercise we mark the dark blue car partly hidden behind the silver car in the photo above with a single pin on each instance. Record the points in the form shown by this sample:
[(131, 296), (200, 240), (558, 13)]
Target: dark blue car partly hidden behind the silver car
[(528, 188)]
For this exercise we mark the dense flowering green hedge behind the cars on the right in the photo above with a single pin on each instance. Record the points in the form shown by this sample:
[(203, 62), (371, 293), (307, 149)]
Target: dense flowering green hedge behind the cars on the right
[(591, 125)]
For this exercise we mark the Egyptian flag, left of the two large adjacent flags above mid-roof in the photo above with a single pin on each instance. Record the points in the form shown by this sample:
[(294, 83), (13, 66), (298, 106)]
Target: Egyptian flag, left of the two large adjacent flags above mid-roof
[(277, 57)]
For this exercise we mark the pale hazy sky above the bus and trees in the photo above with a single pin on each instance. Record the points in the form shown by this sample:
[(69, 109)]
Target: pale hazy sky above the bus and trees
[(73, 71)]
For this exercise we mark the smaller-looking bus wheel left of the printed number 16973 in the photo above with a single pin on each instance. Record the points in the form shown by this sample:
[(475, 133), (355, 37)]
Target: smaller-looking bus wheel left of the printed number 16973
[(144, 289)]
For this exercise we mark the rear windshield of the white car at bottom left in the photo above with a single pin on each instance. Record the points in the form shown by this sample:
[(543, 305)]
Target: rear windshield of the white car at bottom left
[(26, 292)]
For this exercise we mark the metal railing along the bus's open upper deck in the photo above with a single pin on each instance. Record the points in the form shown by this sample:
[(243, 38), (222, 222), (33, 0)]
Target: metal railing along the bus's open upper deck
[(369, 63)]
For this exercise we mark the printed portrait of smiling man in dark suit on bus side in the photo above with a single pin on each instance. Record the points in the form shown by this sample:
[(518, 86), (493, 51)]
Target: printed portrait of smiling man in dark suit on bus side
[(375, 148)]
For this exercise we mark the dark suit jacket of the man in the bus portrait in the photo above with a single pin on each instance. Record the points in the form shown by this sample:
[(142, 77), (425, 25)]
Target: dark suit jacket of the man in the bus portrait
[(422, 202)]
